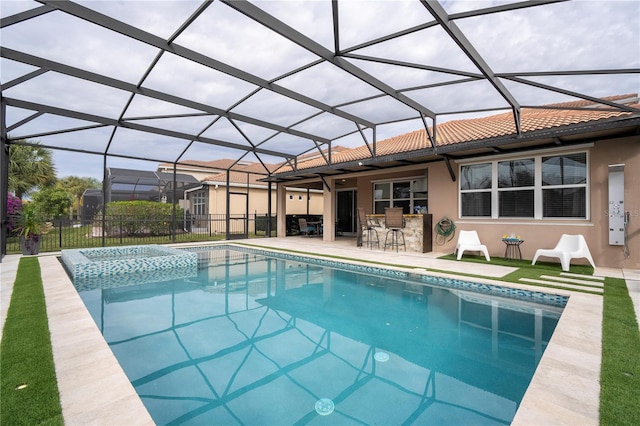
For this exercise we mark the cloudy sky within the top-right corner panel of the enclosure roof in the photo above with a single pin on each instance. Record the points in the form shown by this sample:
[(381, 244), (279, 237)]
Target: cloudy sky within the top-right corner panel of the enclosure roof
[(561, 36)]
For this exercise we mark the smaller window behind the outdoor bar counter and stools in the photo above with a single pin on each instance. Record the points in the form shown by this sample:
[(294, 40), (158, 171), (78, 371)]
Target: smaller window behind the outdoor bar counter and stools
[(411, 195)]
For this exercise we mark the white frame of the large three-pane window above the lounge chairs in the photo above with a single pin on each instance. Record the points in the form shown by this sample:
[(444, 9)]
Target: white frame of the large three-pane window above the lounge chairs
[(538, 188)]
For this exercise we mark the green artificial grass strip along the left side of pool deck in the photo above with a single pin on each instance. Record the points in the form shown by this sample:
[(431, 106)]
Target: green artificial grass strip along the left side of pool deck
[(27, 358)]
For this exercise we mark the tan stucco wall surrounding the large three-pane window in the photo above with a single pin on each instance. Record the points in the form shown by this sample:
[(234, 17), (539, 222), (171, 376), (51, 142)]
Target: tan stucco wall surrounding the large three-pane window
[(443, 202)]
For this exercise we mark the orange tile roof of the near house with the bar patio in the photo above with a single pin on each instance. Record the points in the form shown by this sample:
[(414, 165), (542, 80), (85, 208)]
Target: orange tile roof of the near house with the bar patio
[(475, 129)]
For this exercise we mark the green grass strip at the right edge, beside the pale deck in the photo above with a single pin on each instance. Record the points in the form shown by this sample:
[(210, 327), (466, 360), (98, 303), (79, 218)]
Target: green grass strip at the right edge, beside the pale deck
[(620, 374)]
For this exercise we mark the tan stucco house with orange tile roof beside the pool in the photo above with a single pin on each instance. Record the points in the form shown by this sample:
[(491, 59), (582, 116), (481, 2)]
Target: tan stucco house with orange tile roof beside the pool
[(557, 176)]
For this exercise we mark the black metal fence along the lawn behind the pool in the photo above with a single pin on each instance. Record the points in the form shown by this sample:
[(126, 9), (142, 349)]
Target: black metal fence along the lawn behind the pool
[(119, 230)]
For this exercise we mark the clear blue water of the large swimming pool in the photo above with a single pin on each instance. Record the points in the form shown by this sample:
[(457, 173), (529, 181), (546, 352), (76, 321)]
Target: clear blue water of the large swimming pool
[(258, 340)]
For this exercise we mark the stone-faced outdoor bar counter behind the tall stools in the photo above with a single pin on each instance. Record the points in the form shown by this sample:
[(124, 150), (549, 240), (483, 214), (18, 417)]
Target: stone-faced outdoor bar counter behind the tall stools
[(418, 230)]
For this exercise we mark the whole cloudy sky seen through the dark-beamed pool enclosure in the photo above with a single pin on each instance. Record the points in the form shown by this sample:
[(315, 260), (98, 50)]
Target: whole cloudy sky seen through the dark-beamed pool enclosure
[(566, 36)]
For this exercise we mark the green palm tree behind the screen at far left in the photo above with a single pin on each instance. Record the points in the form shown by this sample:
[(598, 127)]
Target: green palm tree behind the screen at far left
[(30, 167)]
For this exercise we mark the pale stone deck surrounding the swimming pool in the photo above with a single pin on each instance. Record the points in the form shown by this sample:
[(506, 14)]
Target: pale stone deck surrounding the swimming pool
[(94, 389)]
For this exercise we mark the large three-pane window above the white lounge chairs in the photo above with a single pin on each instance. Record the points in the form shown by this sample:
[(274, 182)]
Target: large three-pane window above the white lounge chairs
[(550, 186)]
